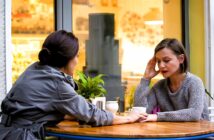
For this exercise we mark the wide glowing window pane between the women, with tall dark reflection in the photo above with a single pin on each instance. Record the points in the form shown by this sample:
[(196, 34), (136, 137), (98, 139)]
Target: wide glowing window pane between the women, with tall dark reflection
[(117, 38)]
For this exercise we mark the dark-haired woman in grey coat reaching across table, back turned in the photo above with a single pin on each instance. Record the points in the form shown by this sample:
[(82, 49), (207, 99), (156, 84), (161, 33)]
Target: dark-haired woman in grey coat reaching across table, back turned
[(45, 93)]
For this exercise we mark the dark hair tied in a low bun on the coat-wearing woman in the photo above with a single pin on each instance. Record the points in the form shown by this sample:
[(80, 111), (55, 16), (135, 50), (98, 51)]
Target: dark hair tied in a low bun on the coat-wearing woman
[(58, 48)]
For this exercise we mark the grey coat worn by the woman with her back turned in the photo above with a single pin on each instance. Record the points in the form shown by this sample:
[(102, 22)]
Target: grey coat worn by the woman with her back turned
[(43, 94)]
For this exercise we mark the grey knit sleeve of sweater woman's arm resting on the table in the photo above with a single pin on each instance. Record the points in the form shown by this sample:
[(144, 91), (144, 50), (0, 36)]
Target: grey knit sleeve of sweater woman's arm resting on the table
[(195, 105)]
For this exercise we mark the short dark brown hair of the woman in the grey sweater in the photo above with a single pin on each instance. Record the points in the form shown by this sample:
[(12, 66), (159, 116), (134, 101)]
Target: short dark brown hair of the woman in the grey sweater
[(177, 47)]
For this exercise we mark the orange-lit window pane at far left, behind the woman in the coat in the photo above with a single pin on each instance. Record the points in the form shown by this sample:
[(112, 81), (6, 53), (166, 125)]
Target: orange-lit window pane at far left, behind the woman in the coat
[(32, 21)]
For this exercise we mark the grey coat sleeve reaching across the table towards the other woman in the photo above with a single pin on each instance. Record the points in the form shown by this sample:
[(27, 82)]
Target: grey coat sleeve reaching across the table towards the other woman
[(71, 103)]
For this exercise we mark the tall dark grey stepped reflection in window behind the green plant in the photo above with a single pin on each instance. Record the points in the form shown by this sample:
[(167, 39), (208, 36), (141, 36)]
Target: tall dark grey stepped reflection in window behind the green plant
[(102, 54)]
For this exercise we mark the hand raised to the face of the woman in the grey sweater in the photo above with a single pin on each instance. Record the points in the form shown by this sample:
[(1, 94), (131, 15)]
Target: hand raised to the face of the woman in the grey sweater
[(150, 71)]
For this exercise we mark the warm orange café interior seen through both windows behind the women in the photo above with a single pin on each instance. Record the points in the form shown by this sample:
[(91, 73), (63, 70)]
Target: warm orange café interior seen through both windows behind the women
[(136, 27)]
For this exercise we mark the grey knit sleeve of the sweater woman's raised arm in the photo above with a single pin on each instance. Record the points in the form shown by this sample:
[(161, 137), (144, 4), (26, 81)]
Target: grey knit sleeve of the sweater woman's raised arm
[(144, 96)]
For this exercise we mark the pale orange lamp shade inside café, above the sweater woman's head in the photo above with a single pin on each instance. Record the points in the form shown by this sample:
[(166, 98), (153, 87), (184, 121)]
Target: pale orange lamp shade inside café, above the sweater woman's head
[(154, 16)]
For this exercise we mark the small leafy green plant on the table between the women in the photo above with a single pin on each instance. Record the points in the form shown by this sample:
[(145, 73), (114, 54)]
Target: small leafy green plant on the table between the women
[(90, 87)]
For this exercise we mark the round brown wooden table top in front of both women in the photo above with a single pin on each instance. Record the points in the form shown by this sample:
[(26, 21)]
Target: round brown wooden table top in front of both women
[(136, 130)]
